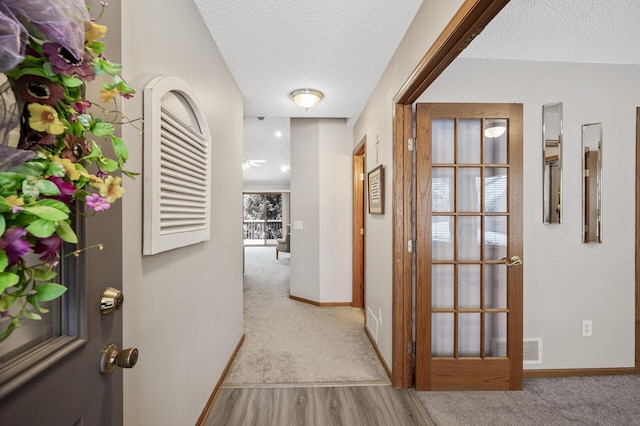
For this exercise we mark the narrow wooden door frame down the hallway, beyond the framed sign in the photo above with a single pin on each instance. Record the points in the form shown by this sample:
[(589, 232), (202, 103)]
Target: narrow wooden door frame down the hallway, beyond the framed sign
[(358, 224)]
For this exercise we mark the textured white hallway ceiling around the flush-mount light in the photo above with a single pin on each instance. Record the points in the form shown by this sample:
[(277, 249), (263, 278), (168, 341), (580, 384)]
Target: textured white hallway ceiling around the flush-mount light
[(340, 47)]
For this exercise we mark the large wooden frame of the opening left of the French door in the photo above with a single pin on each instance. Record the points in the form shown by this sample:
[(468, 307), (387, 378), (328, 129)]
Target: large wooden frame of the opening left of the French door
[(465, 25)]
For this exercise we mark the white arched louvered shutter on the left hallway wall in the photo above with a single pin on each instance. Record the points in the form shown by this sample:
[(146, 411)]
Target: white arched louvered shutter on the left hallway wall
[(177, 167)]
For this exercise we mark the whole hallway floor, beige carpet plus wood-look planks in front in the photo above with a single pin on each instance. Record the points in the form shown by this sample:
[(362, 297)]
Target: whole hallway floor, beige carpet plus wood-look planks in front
[(304, 365)]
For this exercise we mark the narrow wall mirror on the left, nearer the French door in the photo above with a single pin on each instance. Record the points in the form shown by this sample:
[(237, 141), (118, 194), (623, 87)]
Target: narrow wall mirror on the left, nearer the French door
[(552, 163)]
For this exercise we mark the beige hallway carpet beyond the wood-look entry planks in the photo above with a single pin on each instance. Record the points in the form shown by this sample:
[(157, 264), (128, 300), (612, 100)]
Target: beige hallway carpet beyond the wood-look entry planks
[(290, 342)]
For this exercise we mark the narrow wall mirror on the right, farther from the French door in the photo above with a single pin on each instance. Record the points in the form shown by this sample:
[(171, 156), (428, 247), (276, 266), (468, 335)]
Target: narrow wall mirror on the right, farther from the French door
[(592, 183)]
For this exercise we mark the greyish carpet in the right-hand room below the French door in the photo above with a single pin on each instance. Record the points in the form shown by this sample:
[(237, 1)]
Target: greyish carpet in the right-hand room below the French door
[(600, 400)]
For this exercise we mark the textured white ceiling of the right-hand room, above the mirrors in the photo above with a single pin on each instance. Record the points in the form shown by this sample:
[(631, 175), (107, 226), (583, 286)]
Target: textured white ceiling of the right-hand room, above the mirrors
[(588, 31)]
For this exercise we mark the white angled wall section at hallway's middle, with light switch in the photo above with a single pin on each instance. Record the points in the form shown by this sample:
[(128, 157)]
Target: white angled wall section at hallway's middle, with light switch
[(321, 200)]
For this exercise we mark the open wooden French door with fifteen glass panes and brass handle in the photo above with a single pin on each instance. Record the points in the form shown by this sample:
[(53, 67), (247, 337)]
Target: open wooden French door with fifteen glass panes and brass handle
[(469, 244)]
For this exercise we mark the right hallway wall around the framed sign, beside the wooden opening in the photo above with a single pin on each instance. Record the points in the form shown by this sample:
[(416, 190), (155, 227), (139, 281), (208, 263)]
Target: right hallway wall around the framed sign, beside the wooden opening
[(375, 123)]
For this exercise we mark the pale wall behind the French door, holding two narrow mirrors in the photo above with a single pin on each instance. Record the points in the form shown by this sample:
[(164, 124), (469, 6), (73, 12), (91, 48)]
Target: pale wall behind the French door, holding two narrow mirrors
[(566, 281)]
